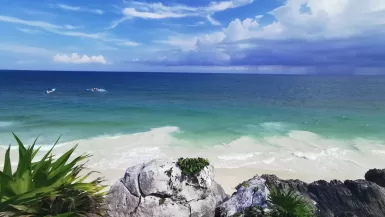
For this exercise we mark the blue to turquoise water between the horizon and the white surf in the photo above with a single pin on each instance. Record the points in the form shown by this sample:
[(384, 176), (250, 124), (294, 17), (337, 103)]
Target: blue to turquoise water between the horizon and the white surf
[(203, 106)]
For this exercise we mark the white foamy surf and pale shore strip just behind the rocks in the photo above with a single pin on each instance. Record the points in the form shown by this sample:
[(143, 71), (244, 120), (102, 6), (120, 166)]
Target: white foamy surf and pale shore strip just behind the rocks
[(305, 155)]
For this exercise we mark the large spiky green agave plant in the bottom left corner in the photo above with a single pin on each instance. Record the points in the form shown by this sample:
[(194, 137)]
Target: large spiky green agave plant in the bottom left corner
[(48, 187)]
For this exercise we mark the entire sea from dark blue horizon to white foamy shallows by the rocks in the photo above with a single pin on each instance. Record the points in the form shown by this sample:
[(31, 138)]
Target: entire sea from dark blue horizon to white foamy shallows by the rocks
[(310, 126)]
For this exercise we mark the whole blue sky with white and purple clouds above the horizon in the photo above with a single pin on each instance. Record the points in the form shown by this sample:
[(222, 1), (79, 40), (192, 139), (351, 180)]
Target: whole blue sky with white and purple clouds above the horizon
[(262, 36)]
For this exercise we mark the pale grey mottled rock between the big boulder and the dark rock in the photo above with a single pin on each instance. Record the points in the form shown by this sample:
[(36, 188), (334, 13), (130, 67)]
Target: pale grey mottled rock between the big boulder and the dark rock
[(253, 192)]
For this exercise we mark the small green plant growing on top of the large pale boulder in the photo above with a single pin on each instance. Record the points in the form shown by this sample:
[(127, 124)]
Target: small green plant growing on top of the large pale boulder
[(192, 166)]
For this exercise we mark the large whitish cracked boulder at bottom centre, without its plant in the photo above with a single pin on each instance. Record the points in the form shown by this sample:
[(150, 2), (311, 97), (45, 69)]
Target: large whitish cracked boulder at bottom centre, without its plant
[(158, 188)]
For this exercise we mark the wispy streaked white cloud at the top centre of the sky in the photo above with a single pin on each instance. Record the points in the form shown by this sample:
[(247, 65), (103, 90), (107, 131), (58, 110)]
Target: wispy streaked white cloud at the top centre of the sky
[(160, 11)]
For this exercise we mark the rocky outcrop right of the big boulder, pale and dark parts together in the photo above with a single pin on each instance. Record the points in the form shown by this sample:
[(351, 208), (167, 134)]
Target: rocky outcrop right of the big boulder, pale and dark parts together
[(358, 198)]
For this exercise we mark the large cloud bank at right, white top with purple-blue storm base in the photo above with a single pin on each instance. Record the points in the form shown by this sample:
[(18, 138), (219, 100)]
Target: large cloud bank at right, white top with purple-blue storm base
[(305, 33)]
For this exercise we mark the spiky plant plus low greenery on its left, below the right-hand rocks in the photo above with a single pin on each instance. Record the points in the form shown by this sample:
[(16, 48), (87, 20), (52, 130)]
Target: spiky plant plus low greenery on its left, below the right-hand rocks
[(282, 204)]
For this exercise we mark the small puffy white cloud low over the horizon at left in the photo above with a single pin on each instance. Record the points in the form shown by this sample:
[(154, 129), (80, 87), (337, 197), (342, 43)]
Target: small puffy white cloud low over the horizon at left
[(75, 58)]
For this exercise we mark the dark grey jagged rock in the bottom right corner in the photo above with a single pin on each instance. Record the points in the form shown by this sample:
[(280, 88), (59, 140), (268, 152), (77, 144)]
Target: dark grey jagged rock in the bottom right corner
[(336, 198)]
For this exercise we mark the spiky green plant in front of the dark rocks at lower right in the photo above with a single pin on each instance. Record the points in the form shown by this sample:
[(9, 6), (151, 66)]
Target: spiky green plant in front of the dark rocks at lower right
[(288, 204)]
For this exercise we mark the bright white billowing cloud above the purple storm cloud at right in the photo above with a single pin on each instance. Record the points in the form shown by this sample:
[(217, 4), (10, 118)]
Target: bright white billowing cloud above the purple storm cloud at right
[(323, 19)]
